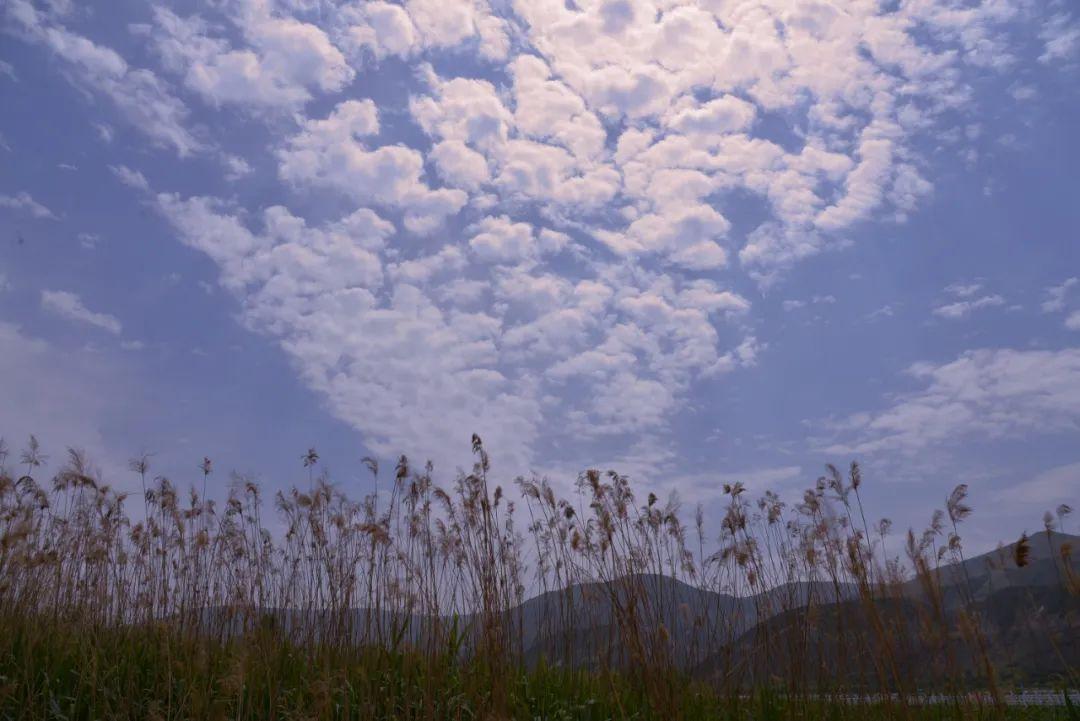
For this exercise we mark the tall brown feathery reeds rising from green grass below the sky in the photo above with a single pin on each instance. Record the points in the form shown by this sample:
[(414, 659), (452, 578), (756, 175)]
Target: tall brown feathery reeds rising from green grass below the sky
[(441, 604)]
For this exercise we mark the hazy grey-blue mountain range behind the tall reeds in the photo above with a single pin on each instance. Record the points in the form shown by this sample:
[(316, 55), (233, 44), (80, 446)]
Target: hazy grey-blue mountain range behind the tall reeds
[(1029, 619)]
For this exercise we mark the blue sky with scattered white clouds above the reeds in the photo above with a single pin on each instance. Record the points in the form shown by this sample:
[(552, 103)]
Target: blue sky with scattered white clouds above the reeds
[(696, 242)]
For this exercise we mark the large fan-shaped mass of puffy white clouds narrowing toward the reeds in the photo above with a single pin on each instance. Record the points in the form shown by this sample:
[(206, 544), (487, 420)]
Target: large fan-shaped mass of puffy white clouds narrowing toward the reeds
[(531, 220)]
